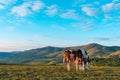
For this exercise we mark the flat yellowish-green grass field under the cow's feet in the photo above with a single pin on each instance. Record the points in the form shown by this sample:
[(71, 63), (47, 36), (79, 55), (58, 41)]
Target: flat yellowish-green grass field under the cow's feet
[(55, 72)]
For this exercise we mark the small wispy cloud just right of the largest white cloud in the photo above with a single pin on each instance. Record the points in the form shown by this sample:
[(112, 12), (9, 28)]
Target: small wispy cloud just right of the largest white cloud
[(52, 10)]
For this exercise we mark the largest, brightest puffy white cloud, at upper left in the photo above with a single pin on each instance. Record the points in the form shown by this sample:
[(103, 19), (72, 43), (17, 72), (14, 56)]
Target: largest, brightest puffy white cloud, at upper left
[(27, 8)]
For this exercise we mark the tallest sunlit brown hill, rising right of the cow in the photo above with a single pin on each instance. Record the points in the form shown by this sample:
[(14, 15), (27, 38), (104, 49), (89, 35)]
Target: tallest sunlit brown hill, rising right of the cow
[(97, 50)]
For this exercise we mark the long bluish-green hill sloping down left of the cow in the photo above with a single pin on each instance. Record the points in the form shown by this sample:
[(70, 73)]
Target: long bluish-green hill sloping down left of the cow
[(34, 54)]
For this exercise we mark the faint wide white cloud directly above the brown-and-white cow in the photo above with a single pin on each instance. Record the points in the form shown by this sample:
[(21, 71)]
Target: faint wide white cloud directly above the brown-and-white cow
[(70, 14)]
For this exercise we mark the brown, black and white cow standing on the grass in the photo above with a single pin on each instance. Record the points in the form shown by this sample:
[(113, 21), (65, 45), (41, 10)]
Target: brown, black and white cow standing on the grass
[(79, 57)]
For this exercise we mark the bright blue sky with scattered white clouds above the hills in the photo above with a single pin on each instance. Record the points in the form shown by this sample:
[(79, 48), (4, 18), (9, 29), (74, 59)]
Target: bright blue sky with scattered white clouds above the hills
[(29, 24)]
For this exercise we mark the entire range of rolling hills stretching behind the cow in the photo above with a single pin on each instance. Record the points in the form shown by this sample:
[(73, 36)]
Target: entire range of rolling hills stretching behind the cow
[(53, 55)]
